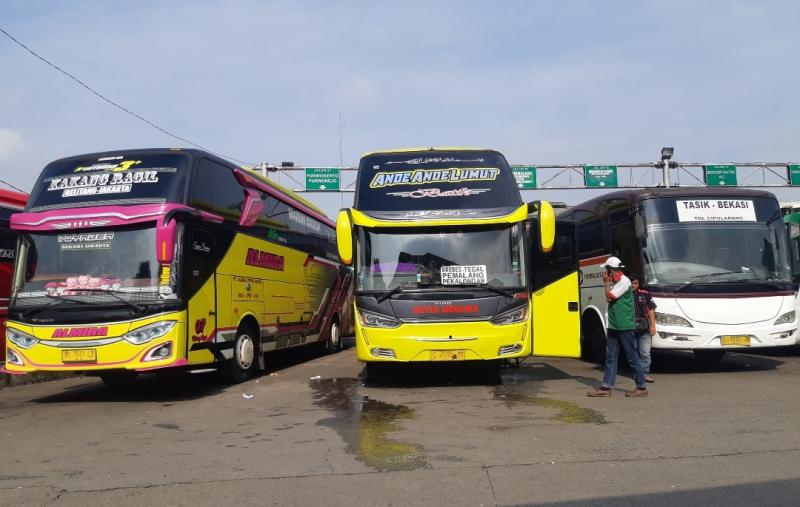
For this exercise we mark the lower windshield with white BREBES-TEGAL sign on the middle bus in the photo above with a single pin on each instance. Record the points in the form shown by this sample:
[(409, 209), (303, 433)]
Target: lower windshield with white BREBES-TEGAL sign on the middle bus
[(443, 257)]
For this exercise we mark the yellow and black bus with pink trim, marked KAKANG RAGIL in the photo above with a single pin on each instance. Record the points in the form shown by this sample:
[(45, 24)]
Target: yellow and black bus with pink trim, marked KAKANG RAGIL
[(144, 260)]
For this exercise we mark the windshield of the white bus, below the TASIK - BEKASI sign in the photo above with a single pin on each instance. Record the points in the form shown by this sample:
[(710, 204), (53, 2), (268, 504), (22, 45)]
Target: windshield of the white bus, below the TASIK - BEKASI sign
[(714, 253)]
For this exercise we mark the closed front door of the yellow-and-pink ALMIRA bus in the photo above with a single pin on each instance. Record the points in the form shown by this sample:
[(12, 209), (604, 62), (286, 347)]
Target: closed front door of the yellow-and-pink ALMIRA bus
[(199, 280)]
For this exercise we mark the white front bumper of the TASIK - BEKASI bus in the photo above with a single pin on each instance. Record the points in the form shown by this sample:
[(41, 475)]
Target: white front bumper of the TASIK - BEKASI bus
[(725, 337)]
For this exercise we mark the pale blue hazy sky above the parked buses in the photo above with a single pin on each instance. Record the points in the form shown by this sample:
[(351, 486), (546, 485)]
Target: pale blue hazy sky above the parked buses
[(541, 81)]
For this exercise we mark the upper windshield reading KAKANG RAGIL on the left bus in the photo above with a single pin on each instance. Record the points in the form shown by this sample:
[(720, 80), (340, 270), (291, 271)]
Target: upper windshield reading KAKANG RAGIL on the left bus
[(93, 181)]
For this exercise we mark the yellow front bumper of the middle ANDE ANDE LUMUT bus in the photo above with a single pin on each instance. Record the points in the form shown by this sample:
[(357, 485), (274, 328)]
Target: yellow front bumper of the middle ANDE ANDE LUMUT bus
[(442, 341)]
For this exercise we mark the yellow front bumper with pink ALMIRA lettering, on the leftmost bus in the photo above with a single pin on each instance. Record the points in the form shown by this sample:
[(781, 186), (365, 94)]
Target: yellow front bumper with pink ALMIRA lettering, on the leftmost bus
[(98, 347)]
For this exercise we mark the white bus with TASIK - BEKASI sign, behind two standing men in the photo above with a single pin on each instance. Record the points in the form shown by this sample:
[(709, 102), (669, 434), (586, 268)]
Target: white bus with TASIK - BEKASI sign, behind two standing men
[(717, 263)]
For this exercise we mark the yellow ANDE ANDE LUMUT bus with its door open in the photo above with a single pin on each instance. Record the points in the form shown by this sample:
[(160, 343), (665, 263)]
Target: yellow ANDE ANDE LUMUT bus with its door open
[(448, 262)]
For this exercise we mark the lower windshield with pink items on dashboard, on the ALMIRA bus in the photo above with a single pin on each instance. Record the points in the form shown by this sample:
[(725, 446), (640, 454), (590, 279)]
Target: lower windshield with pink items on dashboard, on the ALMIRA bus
[(98, 267)]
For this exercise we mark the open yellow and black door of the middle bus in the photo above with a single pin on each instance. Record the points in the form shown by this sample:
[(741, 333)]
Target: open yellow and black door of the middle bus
[(555, 293)]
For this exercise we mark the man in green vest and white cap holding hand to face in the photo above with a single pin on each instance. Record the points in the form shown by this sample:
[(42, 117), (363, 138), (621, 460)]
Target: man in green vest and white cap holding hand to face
[(621, 320)]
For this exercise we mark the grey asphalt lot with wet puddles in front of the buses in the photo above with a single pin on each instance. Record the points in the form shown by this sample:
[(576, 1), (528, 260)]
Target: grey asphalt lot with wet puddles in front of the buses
[(315, 429)]
